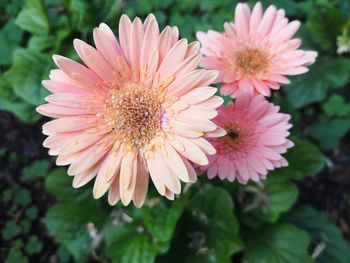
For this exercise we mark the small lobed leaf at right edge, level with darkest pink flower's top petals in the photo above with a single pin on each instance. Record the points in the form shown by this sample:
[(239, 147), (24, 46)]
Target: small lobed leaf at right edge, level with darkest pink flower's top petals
[(336, 106)]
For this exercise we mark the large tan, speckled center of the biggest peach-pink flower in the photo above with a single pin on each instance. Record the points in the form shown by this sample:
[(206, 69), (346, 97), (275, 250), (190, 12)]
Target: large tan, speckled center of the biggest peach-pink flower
[(134, 113)]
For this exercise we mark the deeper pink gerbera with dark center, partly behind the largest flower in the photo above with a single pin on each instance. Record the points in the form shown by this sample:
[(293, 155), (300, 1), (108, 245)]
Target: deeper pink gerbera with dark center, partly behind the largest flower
[(255, 139)]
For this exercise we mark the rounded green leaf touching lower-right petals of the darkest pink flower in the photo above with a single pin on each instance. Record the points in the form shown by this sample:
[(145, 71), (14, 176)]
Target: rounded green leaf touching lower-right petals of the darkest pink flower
[(305, 159)]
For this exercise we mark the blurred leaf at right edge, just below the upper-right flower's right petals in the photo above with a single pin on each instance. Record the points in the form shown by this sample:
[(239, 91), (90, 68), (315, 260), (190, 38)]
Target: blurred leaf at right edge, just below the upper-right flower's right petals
[(327, 72)]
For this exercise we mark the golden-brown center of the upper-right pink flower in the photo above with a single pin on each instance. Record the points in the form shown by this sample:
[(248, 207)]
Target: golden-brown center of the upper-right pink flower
[(251, 61)]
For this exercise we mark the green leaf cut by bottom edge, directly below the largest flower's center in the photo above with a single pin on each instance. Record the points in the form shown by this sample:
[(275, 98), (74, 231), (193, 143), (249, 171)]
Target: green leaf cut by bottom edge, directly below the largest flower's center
[(129, 244)]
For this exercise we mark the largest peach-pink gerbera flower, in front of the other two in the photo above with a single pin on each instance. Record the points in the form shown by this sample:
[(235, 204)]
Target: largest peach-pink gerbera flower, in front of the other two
[(139, 107)]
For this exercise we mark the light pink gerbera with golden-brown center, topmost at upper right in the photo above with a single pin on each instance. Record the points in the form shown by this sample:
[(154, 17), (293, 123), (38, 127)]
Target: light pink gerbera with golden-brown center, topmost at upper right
[(255, 52)]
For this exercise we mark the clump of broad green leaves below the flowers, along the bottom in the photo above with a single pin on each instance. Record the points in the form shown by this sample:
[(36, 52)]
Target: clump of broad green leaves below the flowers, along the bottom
[(202, 225)]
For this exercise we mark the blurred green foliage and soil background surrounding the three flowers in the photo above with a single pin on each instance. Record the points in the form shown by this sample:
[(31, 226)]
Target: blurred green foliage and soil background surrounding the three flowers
[(299, 214)]
